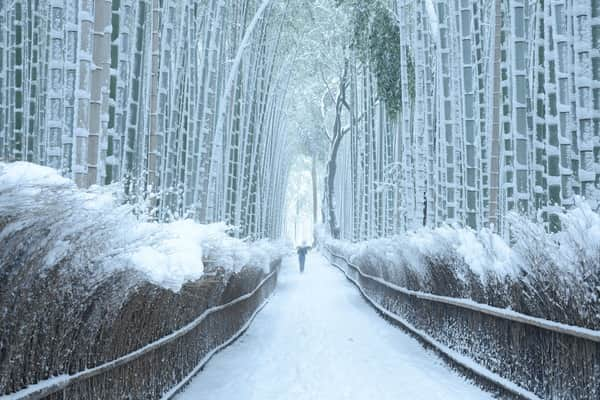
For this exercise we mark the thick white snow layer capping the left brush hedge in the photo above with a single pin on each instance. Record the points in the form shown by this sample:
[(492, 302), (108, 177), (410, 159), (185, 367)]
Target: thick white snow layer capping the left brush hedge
[(101, 229)]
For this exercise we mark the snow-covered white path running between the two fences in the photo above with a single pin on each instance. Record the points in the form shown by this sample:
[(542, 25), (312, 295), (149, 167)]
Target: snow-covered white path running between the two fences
[(318, 339)]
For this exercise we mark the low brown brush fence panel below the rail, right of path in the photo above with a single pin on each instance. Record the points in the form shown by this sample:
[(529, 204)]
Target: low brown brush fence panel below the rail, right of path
[(523, 356)]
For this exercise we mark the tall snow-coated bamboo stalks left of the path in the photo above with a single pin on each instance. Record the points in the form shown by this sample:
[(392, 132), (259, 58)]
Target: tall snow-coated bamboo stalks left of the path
[(180, 100)]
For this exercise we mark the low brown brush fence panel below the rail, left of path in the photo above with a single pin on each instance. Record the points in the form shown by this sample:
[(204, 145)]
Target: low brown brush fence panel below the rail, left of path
[(159, 369)]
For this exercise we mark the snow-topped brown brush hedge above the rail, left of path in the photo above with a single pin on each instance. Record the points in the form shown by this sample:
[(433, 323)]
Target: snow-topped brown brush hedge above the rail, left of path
[(84, 281)]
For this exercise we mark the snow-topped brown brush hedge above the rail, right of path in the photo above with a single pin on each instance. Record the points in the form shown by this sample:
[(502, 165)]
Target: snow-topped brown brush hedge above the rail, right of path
[(550, 276)]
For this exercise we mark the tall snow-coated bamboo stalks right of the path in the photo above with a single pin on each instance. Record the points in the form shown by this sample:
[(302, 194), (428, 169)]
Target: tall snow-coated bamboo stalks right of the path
[(500, 112)]
